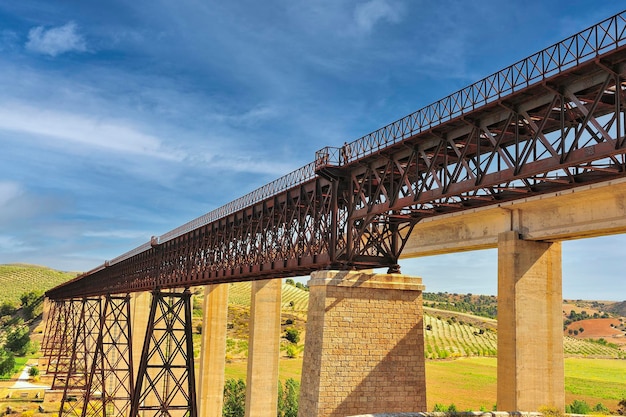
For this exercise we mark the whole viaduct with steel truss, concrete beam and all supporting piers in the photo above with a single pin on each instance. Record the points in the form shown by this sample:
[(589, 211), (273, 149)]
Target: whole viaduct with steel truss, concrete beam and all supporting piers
[(519, 161)]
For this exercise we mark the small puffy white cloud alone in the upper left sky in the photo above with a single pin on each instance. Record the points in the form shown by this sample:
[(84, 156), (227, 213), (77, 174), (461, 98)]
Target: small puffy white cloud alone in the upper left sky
[(56, 40)]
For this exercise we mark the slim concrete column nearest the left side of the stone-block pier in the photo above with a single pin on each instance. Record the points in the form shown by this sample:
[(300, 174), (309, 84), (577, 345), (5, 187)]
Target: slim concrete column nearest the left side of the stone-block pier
[(263, 349)]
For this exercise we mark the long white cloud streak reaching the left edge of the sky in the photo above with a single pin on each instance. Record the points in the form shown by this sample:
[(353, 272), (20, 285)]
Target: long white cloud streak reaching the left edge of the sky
[(111, 135)]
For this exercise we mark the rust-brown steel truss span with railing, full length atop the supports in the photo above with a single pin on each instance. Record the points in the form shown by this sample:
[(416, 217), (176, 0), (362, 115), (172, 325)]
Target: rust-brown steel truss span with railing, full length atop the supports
[(552, 121)]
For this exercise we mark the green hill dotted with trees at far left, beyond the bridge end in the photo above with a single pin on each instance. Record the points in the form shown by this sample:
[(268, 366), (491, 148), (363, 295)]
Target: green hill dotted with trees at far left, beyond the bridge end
[(17, 279)]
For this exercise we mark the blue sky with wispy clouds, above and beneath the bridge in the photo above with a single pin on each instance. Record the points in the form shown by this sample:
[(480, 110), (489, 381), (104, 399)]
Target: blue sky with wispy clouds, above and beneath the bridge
[(121, 120)]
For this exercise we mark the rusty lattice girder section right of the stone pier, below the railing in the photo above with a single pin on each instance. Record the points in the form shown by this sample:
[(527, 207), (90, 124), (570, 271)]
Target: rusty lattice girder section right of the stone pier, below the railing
[(568, 133)]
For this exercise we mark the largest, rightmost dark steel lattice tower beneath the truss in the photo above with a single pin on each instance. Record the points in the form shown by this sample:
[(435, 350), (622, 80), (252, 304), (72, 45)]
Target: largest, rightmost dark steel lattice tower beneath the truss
[(165, 381)]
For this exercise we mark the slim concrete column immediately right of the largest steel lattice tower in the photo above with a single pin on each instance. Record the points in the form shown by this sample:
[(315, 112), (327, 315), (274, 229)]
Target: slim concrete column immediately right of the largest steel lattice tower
[(213, 353)]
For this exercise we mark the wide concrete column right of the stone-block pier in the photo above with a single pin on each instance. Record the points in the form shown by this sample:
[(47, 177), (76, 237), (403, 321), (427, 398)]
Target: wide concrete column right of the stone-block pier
[(530, 325)]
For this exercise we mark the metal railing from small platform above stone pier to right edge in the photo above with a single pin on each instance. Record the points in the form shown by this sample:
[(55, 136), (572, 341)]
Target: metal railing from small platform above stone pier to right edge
[(583, 46)]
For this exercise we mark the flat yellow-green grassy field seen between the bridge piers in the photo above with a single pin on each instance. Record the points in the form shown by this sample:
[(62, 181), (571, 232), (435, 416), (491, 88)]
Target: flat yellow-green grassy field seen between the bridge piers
[(471, 383)]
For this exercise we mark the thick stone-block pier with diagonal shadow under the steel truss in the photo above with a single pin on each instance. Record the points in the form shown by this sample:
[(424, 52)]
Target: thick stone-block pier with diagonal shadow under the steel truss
[(364, 350)]
